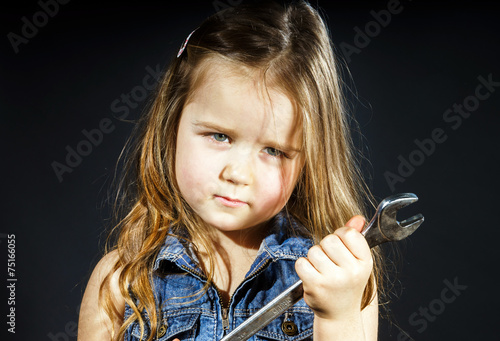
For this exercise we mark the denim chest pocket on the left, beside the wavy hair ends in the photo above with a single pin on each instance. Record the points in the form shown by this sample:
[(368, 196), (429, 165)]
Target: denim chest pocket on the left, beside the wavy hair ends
[(182, 324)]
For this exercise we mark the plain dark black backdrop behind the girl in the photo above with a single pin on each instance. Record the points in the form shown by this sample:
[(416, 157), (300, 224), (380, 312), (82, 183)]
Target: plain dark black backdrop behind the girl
[(425, 91)]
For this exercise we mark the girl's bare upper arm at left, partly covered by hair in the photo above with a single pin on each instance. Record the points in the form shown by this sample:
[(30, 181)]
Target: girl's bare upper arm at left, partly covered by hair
[(94, 324)]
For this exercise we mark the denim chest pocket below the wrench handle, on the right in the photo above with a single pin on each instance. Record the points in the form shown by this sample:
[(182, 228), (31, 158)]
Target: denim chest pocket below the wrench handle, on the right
[(296, 324)]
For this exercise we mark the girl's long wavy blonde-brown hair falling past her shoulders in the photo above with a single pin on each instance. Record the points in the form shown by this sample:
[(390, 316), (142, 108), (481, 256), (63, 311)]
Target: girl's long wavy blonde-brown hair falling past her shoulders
[(291, 45)]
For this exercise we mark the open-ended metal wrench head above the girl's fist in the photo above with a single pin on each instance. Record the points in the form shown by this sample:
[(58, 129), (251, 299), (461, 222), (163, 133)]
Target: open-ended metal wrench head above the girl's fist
[(385, 227)]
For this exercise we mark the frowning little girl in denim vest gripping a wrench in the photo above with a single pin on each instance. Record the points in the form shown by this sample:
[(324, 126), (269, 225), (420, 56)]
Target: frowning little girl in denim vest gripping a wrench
[(242, 180)]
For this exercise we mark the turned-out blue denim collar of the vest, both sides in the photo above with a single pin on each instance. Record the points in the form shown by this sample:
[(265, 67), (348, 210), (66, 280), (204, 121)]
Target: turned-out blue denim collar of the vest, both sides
[(287, 240)]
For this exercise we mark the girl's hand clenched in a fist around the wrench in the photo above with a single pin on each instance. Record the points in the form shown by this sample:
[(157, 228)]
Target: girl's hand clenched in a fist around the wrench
[(337, 270)]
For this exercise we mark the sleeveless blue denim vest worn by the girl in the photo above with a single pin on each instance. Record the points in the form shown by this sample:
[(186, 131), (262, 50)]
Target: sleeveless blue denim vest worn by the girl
[(190, 313)]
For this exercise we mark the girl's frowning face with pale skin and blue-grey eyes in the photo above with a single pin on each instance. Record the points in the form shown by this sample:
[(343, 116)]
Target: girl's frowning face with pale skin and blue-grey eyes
[(237, 155)]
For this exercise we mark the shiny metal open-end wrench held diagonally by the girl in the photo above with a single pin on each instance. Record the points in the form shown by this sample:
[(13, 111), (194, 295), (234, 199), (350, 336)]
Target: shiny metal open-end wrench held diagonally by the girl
[(383, 227)]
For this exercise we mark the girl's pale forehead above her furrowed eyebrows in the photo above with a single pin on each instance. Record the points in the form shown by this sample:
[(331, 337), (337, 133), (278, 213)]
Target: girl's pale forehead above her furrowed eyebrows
[(234, 95)]
